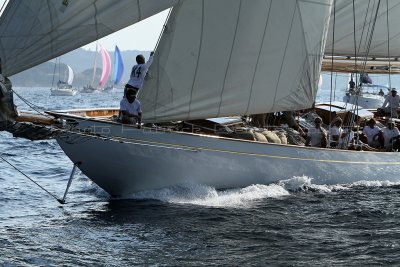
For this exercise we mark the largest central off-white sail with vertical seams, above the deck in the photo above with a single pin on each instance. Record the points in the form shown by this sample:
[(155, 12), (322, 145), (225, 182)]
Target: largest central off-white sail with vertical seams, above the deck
[(232, 57)]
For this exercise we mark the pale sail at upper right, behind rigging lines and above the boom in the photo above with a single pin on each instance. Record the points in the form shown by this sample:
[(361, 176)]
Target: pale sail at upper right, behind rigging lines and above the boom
[(386, 29)]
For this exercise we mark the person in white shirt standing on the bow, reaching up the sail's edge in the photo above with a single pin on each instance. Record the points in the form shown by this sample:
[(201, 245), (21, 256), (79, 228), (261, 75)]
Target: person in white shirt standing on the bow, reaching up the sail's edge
[(138, 73)]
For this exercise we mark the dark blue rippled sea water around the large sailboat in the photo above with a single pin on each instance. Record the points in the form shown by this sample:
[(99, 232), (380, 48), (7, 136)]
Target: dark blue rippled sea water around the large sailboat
[(292, 223)]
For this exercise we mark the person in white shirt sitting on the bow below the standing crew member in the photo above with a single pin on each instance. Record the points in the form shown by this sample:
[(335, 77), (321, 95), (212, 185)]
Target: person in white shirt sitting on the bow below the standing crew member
[(131, 111)]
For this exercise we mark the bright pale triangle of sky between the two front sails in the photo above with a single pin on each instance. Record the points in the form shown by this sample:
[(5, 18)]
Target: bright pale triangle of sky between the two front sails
[(141, 36)]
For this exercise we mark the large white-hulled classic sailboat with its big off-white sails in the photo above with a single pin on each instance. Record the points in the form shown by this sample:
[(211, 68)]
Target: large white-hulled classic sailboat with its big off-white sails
[(214, 59)]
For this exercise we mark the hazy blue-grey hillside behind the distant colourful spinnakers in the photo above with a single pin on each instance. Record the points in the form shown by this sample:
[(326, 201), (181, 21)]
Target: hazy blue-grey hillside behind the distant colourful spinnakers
[(81, 61)]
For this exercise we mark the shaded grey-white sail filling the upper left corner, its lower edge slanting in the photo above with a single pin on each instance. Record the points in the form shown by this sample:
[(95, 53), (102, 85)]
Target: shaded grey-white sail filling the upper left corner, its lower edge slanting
[(34, 31)]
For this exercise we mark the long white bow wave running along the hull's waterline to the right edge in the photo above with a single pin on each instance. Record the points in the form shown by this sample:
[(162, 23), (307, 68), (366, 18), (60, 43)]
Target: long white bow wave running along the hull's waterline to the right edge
[(202, 195)]
